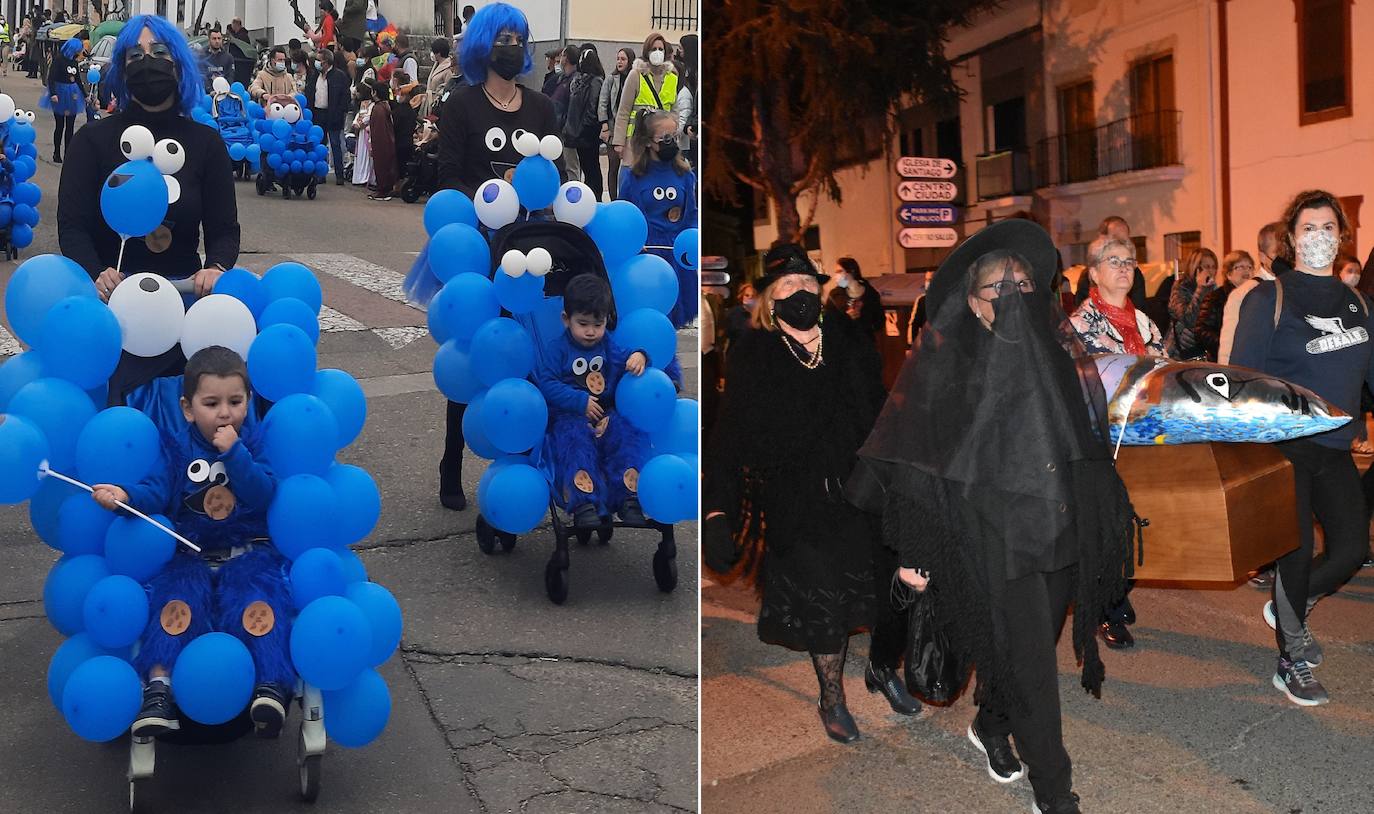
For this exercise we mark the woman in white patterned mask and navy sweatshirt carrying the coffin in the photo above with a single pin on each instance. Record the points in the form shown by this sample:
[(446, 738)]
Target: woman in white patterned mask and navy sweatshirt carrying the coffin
[(1316, 338)]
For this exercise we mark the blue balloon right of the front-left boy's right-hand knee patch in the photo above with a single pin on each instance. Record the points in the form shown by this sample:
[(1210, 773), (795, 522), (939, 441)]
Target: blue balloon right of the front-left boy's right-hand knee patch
[(330, 643)]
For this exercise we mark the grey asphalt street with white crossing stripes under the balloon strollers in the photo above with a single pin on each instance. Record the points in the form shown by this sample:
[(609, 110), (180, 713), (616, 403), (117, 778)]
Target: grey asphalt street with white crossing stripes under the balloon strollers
[(502, 702)]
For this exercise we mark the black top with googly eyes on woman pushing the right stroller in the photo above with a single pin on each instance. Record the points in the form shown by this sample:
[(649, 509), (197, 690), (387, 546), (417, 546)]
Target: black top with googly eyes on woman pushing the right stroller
[(476, 140)]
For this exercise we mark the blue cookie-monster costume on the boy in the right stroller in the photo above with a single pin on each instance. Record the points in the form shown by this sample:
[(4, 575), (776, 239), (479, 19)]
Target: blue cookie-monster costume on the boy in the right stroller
[(568, 375)]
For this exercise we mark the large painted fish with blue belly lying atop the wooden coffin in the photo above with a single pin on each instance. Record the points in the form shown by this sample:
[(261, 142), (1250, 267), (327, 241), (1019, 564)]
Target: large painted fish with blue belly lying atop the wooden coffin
[(1156, 401)]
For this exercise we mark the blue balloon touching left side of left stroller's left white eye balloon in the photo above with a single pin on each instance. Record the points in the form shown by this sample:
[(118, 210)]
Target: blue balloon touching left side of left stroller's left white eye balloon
[(80, 342)]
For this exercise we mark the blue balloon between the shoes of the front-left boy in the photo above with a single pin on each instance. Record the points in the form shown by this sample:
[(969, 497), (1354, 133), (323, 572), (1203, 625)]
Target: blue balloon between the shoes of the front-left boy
[(214, 679)]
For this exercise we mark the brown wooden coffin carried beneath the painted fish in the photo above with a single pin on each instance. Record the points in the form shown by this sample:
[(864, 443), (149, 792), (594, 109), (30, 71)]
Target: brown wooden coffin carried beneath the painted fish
[(1215, 512)]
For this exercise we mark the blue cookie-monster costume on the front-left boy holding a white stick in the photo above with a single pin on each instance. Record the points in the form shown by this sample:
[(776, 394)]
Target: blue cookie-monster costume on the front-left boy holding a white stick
[(218, 501)]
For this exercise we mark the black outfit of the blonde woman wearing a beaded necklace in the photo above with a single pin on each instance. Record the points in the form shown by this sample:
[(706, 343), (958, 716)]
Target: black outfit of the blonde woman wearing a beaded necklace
[(784, 445)]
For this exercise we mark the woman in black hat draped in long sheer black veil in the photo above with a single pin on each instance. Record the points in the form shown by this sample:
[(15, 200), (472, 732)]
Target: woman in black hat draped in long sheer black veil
[(997, 483)]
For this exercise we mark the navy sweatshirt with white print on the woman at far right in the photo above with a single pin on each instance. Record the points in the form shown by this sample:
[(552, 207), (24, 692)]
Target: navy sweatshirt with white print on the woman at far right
[(1322, 343)]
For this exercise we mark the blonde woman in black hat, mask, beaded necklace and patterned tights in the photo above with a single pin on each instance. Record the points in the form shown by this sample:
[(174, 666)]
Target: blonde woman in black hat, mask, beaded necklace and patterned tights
[(800, 398)]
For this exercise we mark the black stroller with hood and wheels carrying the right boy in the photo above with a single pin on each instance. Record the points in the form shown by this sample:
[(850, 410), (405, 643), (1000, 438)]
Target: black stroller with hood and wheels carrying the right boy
[(574, 254)]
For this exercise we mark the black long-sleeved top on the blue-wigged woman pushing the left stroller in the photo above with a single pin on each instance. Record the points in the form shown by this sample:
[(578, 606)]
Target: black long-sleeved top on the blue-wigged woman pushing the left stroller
[(208, 200)]
